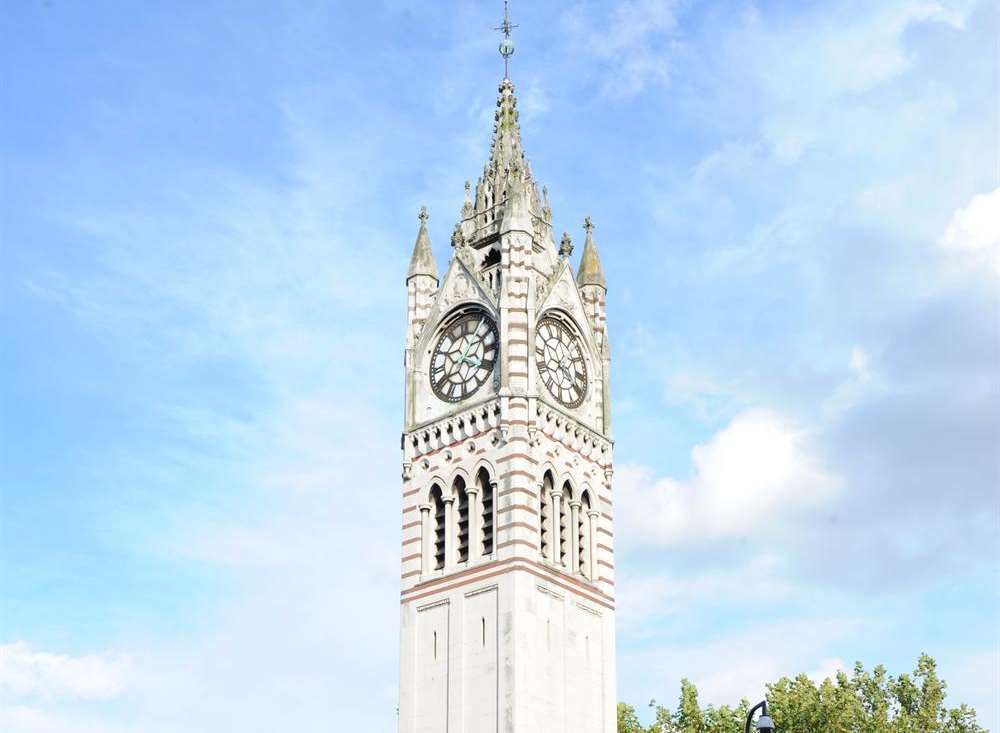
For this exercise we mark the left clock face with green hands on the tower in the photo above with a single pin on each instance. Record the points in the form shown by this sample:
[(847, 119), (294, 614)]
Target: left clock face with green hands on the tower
[(464, 357)]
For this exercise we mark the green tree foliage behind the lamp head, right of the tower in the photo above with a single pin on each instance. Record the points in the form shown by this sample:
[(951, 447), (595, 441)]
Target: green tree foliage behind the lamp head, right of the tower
[(862, 702)]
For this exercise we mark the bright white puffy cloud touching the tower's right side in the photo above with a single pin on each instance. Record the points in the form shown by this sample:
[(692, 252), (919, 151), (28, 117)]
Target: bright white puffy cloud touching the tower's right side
[(757, 471)]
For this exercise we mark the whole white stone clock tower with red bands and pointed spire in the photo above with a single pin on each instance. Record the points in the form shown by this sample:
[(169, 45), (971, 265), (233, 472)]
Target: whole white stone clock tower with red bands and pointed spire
[(507, 605)]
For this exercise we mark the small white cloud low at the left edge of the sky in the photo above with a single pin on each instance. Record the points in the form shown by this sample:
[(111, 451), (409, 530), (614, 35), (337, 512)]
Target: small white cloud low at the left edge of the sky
[(27, 672)]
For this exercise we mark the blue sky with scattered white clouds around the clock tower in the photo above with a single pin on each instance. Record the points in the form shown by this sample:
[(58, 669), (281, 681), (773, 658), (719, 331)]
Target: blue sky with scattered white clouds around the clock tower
[(206, 217)]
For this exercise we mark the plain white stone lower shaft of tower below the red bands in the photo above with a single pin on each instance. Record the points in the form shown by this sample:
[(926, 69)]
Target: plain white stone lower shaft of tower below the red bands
[(545, 663)]
